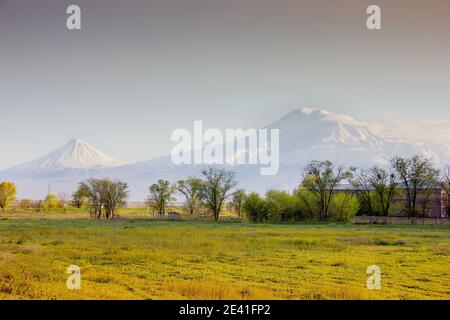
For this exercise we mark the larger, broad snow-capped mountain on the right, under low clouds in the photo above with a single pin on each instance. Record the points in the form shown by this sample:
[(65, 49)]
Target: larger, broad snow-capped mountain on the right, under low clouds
[(307, 134)]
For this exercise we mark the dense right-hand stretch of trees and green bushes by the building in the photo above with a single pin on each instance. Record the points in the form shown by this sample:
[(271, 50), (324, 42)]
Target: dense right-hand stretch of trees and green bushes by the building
[(405, 188)]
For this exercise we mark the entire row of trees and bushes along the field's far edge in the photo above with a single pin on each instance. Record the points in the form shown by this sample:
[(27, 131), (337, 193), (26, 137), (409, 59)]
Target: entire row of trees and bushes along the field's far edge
[(405, 187)]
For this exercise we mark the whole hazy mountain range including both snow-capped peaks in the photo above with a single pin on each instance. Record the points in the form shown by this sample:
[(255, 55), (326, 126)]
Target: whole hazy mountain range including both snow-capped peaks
[(305, 134)]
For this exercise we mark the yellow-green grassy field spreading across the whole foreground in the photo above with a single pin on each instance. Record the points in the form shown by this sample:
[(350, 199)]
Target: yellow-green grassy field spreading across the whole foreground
[(135, 258)]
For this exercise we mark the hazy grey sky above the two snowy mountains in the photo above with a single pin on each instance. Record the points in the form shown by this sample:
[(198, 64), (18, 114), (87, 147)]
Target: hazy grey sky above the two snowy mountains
[(138, 70)]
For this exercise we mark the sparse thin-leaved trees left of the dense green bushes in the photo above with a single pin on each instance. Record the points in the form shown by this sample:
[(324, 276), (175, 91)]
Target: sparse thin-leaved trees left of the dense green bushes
[(104, 196)]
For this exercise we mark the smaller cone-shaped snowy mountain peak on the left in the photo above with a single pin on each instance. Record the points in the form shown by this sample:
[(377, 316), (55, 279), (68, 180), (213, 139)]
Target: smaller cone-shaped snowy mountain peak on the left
[(76, 154)]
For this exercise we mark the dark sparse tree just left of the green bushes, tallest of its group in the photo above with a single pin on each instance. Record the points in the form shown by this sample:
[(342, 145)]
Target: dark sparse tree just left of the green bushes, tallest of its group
[(216, 188)]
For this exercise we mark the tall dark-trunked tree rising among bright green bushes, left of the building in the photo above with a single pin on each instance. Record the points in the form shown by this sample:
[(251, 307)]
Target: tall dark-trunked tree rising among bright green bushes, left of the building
[(321, 179)]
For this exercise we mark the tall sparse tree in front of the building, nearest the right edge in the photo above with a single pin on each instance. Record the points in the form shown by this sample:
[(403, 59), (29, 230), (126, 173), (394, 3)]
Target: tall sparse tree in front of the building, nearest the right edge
[(419, 178)]
